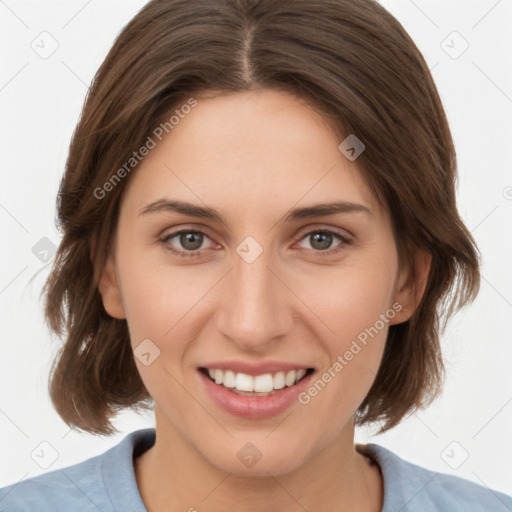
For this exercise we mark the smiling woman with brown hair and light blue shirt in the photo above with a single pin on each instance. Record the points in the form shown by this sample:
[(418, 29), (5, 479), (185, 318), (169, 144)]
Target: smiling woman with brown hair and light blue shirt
[(260, 237)]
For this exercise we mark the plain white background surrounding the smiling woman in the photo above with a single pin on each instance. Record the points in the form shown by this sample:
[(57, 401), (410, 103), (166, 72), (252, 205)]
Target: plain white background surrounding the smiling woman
[(40, 101)]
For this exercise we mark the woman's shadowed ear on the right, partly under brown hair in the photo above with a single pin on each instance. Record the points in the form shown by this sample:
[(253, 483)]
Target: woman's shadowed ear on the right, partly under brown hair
[(411, 286)]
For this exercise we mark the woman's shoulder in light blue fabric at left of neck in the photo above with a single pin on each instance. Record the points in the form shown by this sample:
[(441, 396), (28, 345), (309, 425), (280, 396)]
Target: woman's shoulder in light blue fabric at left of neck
[(105, 482)]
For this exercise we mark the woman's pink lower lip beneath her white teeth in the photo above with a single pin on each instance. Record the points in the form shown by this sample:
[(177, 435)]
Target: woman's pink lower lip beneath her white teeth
[(257, 407)]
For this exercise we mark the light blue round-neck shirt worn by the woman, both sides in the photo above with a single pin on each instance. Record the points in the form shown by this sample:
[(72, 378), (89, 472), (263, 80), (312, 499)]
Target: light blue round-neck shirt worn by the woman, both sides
[(107, 483)]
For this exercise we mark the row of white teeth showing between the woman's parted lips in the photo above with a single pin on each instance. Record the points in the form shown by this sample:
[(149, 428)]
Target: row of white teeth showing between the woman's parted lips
[(266, 384)]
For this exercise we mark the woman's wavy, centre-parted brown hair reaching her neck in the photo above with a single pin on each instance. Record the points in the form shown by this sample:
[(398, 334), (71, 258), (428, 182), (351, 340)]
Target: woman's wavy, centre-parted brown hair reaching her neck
[(352, 60)]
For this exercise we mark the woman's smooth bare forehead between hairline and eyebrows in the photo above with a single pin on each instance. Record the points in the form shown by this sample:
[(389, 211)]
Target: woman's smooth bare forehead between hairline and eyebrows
[(262, 150)]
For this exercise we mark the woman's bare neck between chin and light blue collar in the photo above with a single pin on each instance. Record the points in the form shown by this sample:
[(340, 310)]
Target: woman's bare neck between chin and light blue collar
[(173, 477)]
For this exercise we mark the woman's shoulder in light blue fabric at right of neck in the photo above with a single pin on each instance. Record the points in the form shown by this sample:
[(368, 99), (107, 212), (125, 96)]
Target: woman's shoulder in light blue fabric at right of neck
[(412, 488)]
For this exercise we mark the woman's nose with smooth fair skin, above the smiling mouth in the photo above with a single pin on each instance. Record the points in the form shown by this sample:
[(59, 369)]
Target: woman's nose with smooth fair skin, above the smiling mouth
[(255, 307)]
